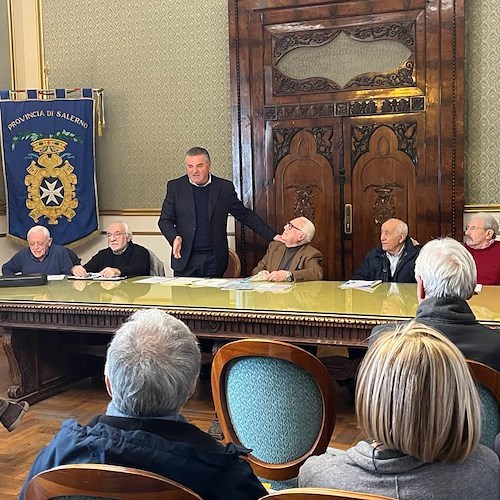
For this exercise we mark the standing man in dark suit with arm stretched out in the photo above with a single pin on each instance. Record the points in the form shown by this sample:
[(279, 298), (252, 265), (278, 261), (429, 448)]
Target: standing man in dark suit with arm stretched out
[(194, 218)]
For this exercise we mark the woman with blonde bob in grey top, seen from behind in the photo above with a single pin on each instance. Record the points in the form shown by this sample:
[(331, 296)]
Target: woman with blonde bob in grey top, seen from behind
[(418, 404)]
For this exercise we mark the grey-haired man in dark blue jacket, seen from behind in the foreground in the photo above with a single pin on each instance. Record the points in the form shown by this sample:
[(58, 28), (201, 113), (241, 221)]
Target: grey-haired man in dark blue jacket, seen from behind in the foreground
[(151, 370)]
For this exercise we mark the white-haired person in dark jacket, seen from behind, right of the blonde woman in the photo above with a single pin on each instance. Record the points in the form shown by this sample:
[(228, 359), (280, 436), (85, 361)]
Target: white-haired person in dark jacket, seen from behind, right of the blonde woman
[(446, 277)]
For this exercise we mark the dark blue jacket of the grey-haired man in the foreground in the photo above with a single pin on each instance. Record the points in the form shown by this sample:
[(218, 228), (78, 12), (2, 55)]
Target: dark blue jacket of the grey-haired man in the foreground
[(177, 450)]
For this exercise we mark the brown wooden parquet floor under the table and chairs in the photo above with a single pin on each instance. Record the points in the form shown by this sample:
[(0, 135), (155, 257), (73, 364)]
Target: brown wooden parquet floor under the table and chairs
[(19, 448)]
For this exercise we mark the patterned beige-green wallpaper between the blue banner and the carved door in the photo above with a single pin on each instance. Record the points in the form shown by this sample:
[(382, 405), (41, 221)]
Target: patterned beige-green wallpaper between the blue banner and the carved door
[(164, 67)]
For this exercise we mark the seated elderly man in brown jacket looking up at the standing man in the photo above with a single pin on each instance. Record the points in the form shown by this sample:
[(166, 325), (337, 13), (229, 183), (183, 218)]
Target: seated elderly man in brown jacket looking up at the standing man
[(294, 259)]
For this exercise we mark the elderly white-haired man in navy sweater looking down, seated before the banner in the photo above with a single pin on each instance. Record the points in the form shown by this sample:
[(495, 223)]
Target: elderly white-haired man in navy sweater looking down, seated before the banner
[(40, 257)]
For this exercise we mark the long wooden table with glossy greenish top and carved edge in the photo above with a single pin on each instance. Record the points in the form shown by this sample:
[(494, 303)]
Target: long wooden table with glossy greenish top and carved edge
[(53, 334)]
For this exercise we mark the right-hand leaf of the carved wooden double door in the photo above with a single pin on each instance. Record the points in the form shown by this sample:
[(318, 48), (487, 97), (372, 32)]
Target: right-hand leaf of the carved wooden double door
[(386, 161)]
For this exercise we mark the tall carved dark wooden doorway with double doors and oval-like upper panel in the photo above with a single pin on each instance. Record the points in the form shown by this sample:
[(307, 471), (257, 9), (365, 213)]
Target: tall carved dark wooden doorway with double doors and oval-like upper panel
[(348, 113)]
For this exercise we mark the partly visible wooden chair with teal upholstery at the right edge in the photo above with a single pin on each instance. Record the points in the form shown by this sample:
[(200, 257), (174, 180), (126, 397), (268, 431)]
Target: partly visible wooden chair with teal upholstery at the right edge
[(488, 380)]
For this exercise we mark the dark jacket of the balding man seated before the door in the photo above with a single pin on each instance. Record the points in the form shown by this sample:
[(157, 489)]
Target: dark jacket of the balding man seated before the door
[(376, 265)]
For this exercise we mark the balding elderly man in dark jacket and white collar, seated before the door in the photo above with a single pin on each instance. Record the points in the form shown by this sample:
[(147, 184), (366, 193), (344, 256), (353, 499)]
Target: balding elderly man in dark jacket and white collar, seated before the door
[(392, 260)]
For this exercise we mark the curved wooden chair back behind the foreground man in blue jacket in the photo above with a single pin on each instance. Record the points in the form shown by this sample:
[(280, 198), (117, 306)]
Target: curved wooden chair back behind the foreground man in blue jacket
[(103, 482)]
